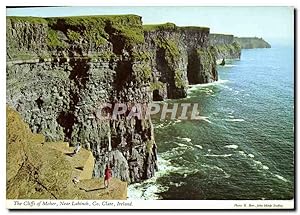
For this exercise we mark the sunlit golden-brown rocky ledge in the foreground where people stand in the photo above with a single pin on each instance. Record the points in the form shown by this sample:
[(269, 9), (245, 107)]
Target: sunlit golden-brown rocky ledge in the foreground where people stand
[(42, 170)]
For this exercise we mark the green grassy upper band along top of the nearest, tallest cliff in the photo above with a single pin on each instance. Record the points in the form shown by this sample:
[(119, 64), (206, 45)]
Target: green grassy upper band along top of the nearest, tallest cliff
[(96, 29)]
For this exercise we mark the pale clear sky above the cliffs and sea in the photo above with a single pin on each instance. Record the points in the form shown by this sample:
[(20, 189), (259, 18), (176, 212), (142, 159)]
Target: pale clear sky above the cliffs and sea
[(274, 24)]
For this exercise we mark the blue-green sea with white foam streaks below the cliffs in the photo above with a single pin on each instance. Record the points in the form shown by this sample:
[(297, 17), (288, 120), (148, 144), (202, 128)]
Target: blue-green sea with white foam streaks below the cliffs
[(245, 147)]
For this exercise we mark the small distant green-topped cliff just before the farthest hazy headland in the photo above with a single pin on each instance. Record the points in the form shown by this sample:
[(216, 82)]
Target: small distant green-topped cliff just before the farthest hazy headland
[(225, 46)]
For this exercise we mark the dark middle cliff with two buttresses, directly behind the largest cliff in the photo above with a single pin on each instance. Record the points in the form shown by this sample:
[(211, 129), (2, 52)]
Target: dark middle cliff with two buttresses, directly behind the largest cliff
[(176, 60)]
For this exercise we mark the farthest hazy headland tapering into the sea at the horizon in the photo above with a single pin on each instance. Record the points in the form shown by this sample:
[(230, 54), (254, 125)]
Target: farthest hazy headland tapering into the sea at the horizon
[(252, 42)]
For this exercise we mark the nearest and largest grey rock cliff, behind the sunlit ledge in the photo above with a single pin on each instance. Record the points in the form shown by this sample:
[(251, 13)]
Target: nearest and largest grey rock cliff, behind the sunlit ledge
[(60, 70)]
